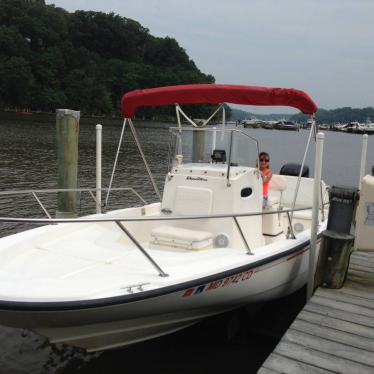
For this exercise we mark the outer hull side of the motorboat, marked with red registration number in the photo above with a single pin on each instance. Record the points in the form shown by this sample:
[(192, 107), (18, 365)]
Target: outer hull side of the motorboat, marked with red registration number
[(142, 316)]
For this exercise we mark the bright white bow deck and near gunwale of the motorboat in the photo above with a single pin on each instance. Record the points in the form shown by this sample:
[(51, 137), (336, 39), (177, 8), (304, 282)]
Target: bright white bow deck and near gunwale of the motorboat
[(94, 260)]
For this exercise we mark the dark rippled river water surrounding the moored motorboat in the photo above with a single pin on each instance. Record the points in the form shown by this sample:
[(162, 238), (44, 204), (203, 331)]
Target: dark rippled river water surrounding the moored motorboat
[(234, 341)]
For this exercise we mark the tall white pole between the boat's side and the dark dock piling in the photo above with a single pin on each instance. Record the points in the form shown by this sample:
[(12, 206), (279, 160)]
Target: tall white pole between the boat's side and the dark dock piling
[(315, 211)]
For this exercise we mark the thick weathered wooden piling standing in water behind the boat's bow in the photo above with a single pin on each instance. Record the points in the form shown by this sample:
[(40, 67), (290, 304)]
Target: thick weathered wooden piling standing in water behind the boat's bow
[(67, 126)]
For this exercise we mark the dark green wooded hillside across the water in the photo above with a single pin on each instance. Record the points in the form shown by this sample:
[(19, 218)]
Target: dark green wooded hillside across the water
[(50, 58)]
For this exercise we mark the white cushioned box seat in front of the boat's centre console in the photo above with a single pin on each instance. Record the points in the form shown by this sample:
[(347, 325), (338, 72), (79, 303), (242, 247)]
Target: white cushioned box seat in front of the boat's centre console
[(181, 238)]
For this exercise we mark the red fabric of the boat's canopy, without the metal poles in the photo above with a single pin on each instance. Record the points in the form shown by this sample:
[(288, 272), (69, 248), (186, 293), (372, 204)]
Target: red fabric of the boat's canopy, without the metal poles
[(216, 94)]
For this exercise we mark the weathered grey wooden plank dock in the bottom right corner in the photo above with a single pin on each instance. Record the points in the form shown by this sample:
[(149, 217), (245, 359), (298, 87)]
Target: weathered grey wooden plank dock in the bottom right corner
[(334, 333)]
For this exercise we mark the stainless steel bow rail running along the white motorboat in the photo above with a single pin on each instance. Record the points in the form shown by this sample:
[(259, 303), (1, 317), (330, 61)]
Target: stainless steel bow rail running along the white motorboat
[(120, 220)]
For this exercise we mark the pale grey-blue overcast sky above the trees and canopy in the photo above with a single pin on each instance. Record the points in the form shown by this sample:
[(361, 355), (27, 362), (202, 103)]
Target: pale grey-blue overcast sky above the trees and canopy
[(323, 47)]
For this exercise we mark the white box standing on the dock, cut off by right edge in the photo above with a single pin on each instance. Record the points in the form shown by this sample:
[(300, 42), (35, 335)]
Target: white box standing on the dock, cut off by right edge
[(365, 216)]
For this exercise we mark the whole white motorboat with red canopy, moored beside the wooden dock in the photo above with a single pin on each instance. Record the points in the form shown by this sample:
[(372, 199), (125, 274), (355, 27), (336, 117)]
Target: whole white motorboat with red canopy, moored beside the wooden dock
[(208, 246)]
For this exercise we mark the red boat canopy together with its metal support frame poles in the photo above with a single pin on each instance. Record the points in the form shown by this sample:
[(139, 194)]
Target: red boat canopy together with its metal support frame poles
[(212, 94)]
